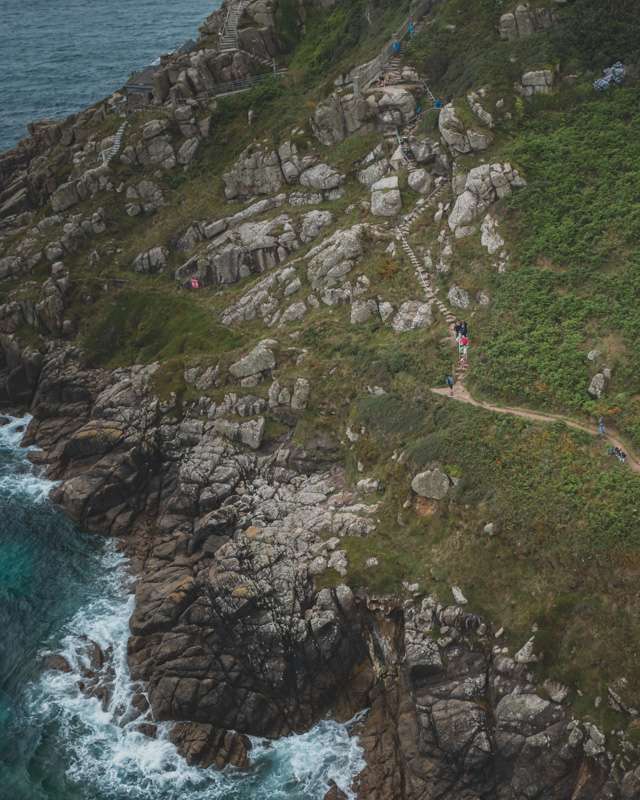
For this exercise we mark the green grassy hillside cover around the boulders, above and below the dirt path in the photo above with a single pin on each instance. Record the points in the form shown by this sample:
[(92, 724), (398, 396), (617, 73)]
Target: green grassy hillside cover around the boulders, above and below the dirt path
[(567, 547)]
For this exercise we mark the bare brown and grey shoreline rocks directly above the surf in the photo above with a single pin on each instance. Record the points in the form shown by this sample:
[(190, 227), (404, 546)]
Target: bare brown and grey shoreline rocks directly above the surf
[(230, 637)]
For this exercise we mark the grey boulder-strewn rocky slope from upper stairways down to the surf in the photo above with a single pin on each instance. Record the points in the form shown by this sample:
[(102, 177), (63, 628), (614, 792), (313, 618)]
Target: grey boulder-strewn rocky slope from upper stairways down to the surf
[(230, 481)]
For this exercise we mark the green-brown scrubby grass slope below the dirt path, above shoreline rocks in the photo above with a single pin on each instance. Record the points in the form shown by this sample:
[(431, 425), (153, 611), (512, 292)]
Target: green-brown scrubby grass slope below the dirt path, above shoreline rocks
[(568, 545)]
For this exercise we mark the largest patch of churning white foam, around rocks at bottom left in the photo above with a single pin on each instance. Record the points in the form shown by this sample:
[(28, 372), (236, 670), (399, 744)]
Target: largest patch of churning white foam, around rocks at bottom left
[(108, 757)]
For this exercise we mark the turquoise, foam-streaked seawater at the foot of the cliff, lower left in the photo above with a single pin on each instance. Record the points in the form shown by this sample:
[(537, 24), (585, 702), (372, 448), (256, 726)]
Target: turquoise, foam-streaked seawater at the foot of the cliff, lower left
[(62, 588)]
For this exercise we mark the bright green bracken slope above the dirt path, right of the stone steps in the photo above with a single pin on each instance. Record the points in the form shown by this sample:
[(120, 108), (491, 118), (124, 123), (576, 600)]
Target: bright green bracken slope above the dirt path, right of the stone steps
[(576, 229)]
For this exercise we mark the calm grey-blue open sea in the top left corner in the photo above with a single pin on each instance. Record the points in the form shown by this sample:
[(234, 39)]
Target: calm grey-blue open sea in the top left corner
[(60, 56)]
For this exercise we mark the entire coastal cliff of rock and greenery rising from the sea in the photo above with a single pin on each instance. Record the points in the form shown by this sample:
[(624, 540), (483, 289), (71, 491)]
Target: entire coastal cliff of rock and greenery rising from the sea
[(224, 313)]
